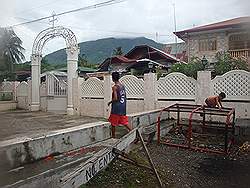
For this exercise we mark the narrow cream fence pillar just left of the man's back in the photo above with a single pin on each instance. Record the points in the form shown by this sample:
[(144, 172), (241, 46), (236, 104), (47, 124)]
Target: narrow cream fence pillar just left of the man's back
[(107, 95)]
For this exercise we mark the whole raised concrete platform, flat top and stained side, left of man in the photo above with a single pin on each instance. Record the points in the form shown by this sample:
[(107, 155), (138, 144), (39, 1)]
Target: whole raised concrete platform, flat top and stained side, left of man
[(26, 137)]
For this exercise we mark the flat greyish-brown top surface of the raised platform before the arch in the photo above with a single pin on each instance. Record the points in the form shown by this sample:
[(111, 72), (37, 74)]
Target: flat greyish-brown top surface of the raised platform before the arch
[(19, 123)]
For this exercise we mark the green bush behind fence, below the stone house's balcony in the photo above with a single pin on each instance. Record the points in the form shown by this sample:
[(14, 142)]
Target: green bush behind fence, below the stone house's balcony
[(226, 63)]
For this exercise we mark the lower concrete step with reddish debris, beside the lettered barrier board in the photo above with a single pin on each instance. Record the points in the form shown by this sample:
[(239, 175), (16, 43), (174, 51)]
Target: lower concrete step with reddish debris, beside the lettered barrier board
[(44, 172)]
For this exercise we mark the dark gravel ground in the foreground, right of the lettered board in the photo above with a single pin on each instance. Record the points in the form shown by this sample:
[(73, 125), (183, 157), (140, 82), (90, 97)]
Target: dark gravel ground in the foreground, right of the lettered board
[(178, 168)]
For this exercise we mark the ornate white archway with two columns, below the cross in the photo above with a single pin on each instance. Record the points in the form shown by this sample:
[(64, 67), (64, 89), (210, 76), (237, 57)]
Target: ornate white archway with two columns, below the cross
[(72, 57)]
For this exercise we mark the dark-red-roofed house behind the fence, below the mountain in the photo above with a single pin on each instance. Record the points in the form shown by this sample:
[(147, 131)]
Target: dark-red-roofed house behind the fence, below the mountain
[(138, 59)]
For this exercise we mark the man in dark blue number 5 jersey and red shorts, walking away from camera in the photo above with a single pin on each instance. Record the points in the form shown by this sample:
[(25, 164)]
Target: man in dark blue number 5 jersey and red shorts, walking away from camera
[(118, 108)]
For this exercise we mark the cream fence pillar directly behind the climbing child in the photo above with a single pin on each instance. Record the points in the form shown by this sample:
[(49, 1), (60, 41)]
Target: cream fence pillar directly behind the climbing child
[(204, 86)]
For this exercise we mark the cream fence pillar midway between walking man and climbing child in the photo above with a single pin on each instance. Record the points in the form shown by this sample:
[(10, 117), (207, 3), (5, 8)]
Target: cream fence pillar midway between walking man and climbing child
[(150, 91)]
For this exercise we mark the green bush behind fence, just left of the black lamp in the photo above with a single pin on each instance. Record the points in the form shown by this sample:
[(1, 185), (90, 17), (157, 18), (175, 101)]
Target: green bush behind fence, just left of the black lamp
[(189, 69)]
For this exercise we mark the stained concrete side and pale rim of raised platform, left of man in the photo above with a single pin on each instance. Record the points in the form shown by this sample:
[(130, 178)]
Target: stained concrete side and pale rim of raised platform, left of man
[(16, 152)]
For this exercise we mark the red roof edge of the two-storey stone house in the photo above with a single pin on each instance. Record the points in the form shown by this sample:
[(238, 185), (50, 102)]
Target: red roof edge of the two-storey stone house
[(218, 25)]
